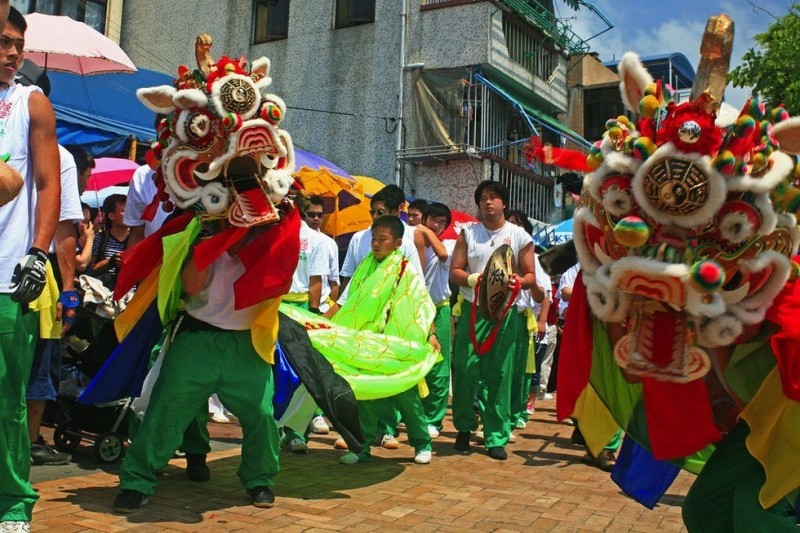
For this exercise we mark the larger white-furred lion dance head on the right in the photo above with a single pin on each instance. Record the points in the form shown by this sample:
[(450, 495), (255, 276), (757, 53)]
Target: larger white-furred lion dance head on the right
[(686, 229)]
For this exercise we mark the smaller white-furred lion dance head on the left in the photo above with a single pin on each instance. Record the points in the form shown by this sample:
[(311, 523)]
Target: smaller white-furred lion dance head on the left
[(220, 150)]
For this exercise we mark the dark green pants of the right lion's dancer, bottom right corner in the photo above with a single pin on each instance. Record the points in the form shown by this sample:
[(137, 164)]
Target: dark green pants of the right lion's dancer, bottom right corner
[(724, 498)]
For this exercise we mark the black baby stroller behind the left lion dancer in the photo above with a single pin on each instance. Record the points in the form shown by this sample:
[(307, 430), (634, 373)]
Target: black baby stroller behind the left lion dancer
[(90, 343)]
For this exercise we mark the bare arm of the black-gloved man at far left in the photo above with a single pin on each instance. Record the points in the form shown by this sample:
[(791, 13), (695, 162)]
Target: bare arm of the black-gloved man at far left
[(46, 169)]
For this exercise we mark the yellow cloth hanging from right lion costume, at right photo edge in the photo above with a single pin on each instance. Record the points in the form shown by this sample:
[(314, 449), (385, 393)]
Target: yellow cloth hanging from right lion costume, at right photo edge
[(774, 438)]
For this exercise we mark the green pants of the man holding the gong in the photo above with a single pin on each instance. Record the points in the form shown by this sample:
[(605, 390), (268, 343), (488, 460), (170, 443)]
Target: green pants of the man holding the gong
[(492, 371)]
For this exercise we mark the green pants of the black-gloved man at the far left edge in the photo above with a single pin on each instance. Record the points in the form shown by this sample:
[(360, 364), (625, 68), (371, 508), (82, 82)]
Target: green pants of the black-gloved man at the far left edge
[(17, 336)]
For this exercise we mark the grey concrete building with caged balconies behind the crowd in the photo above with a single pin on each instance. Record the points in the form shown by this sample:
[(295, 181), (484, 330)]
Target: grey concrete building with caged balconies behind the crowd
[(435, 95)]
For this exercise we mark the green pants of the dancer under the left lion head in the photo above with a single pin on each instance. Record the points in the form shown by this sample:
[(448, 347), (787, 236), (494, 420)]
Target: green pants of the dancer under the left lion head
[(198, 364)]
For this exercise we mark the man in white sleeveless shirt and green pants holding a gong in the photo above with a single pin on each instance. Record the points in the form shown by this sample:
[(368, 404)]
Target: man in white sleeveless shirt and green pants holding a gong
[(492, 370)]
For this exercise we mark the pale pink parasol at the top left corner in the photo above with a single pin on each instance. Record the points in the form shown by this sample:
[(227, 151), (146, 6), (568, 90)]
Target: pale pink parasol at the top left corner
[(64, 44)]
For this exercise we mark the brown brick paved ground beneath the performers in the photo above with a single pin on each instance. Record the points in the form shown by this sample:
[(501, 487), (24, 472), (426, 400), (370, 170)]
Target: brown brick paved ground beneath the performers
[(542, 487)]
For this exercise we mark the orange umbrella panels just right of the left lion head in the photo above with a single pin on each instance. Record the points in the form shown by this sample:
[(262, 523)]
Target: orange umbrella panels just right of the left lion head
[(350, 208)]
